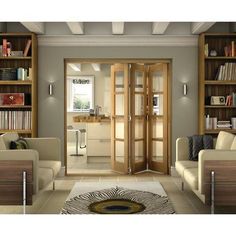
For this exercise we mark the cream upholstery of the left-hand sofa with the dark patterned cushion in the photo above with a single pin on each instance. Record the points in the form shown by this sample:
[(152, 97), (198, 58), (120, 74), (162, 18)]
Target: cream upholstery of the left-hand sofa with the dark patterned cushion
[(44, 152)]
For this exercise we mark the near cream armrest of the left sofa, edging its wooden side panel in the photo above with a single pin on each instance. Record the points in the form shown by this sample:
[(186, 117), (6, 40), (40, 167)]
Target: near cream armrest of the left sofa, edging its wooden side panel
[(29, 155)]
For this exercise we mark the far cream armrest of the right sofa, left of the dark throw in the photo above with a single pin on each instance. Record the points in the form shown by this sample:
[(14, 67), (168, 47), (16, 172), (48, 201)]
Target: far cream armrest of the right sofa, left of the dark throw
[(182, 151)]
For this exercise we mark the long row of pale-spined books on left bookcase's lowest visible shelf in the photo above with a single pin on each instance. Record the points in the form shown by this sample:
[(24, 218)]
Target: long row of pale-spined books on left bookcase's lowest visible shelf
[(14, 120)]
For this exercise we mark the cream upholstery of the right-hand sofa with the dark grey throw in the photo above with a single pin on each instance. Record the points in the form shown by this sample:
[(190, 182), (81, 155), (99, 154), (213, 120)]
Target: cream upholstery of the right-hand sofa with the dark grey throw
[(192, 172)]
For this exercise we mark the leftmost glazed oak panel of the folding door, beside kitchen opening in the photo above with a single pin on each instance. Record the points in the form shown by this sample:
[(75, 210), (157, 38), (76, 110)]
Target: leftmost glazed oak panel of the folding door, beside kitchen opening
[(120, 117)]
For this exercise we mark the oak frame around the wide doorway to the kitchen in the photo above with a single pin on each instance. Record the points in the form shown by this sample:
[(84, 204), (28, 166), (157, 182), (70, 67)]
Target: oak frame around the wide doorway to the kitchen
[(120, 60)]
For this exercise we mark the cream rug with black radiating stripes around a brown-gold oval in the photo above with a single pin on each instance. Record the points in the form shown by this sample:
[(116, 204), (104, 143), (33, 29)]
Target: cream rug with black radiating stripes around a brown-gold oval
[(118, 199)]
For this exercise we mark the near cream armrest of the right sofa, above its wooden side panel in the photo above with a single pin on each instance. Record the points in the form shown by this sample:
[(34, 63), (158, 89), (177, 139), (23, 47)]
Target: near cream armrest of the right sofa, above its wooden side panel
[(212, 154)]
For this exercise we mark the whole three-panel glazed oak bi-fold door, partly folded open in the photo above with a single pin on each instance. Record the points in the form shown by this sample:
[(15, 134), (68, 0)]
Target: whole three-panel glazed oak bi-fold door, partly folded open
[(139, 117)]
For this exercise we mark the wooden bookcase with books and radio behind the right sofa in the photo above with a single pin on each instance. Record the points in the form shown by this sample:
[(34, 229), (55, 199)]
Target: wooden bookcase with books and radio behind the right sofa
[(217, 83)]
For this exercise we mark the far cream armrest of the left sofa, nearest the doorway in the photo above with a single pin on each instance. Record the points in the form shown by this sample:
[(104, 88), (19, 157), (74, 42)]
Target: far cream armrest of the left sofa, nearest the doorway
[(48, 148)]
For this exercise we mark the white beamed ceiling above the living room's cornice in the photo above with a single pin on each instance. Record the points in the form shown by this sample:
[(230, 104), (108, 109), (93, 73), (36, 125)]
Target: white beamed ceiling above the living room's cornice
[(113, 28)]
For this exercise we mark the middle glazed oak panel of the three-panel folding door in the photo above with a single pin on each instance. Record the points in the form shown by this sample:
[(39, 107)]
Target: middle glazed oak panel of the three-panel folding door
[(138, 123)]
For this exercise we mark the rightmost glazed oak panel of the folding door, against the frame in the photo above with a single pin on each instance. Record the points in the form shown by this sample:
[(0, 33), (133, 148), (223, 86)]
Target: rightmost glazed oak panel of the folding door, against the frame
[(157, 118)]
